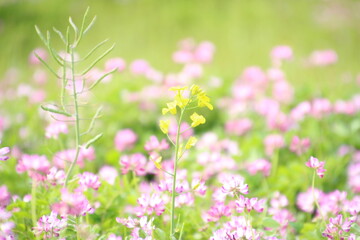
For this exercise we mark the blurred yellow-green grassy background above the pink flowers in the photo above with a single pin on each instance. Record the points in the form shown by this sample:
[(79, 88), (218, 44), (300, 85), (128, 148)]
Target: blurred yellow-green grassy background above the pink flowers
[(243, 31)]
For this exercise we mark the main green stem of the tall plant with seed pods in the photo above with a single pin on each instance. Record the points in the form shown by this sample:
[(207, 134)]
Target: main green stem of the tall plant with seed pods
[(77, 124)]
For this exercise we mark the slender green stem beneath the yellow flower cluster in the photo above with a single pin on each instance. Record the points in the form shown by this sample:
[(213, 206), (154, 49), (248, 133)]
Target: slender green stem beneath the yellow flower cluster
[(177, 145)]
